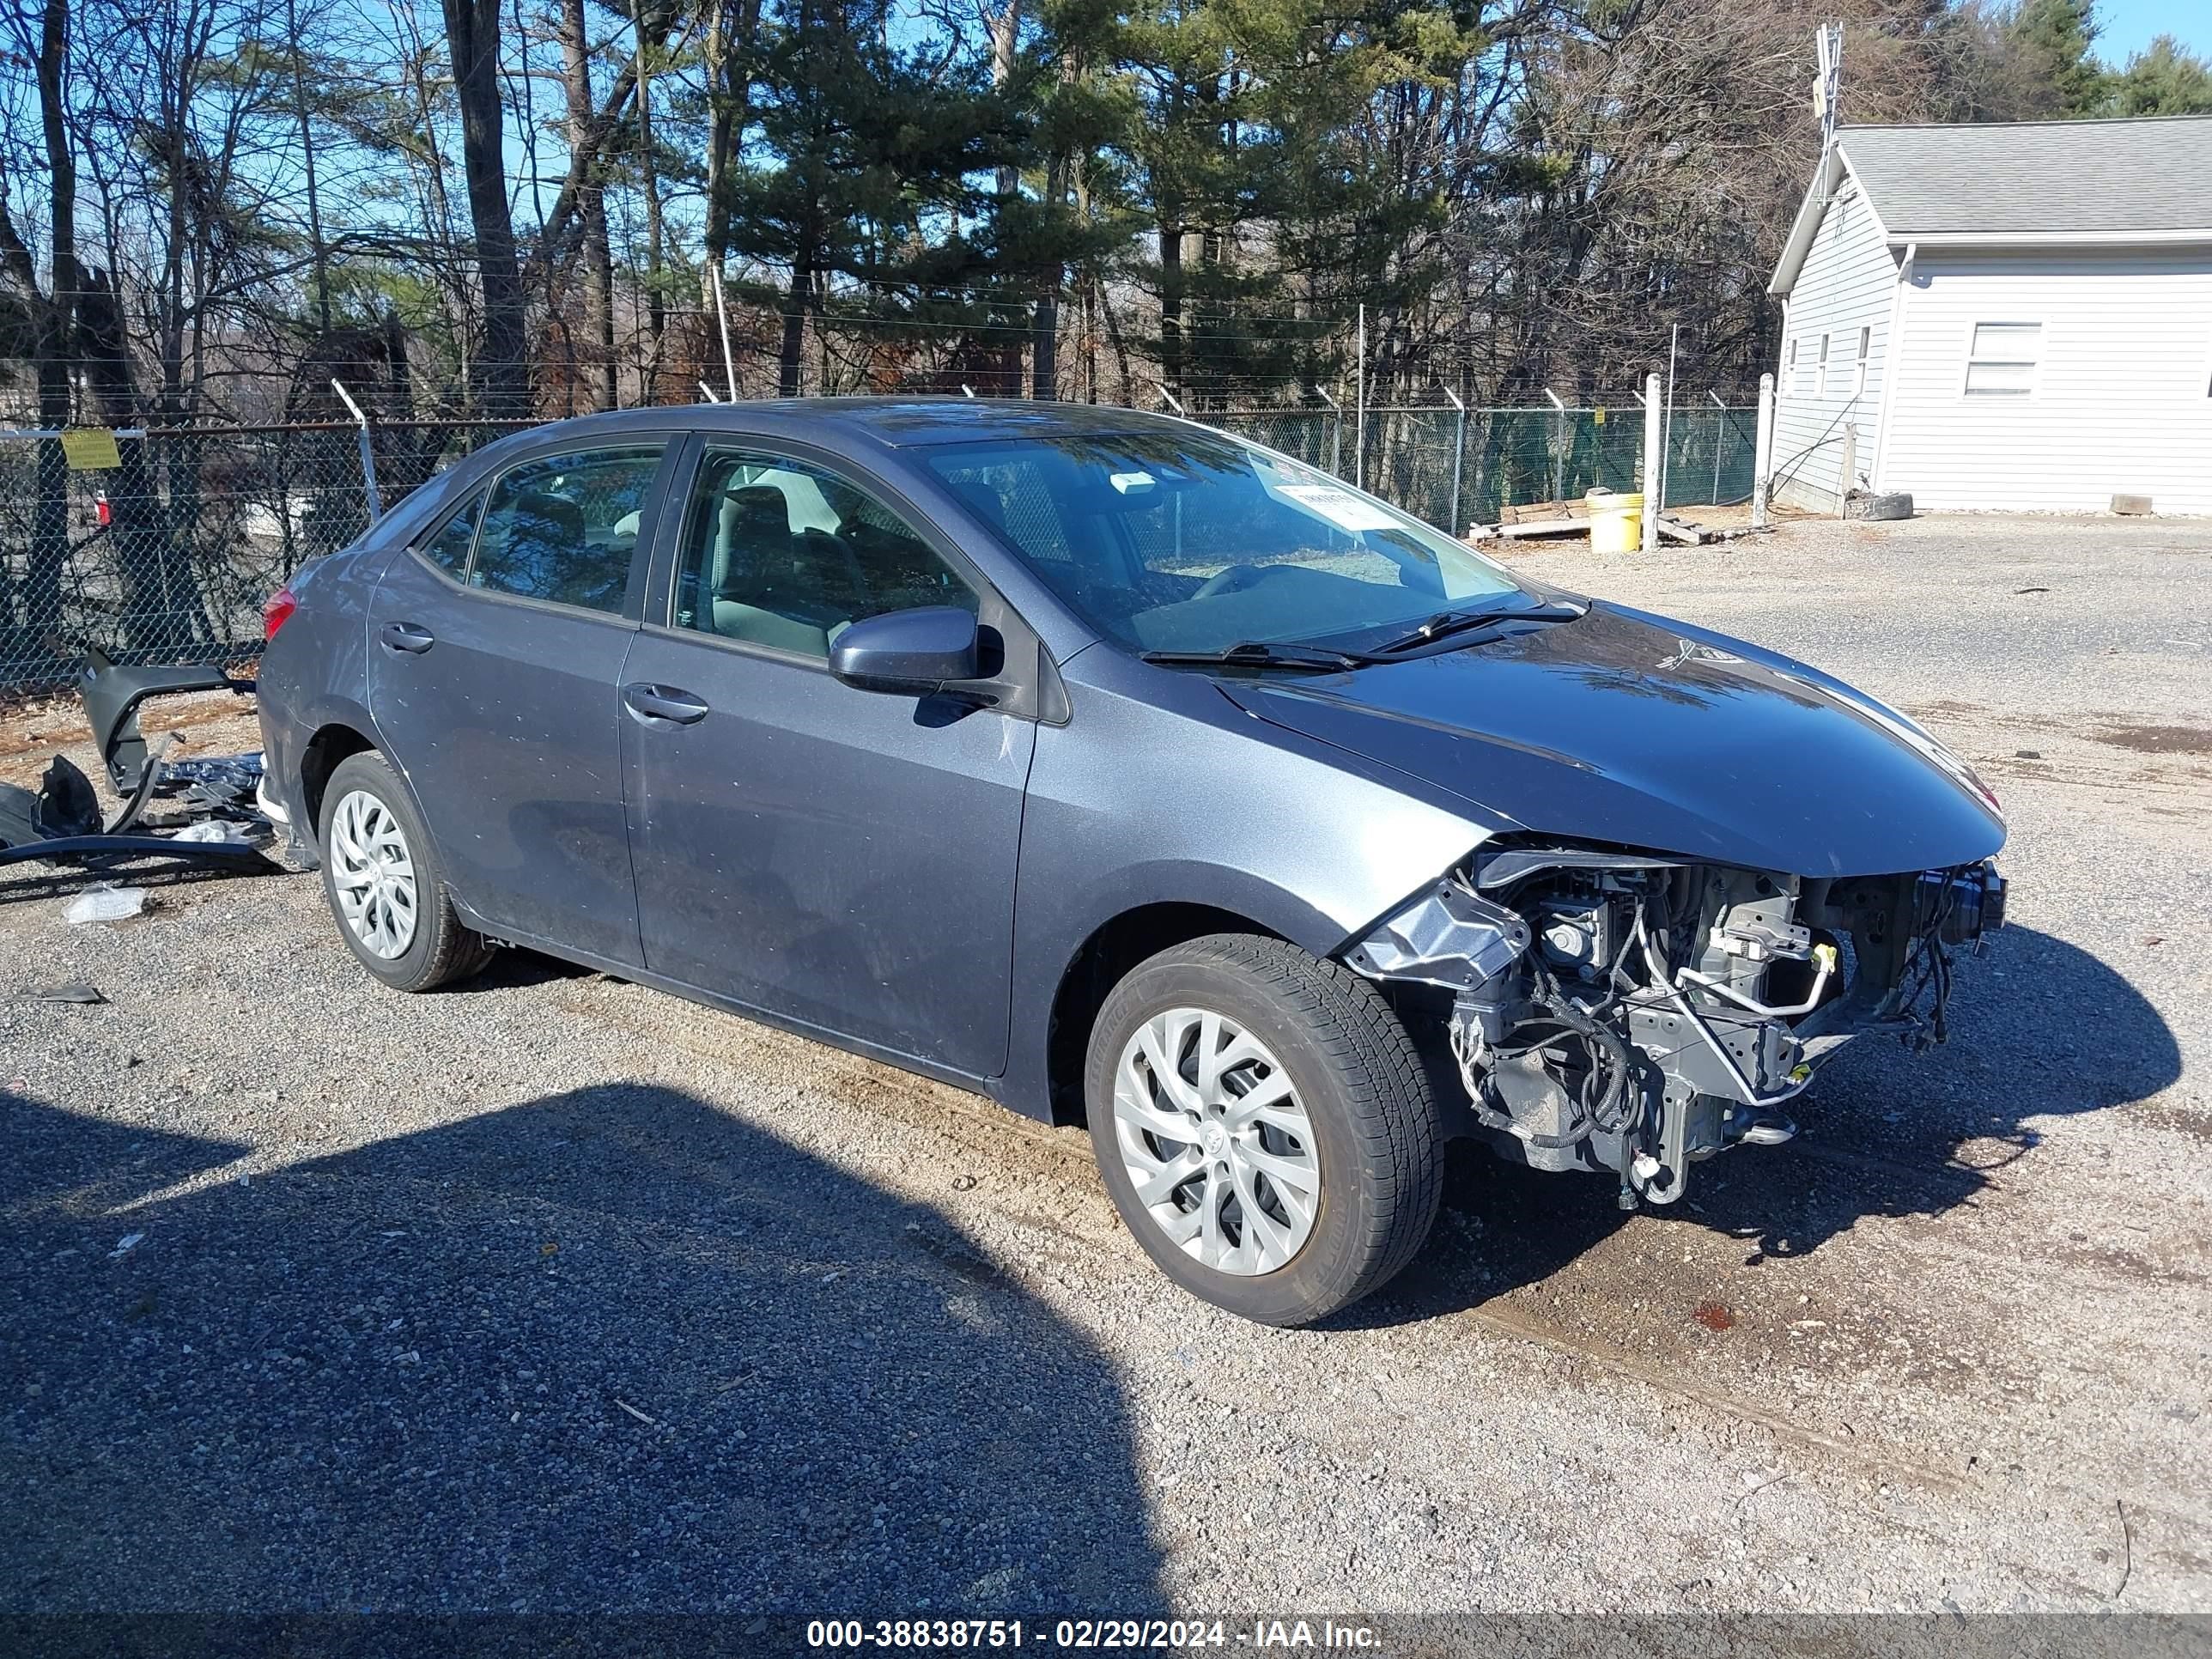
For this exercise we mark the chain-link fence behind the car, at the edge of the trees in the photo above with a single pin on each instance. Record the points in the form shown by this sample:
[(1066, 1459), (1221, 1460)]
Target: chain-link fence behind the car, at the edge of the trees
[(169, 554)]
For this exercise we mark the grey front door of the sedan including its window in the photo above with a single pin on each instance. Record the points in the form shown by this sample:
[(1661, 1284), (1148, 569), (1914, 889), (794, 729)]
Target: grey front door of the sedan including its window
[(828, 855)]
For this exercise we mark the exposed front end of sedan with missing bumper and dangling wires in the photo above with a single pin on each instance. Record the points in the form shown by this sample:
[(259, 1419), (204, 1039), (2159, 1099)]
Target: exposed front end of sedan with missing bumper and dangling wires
[(1636, 1014)]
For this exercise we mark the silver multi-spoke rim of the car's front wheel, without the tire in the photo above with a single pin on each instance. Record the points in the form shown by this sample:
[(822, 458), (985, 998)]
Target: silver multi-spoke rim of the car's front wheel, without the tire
[(1215, 1142)]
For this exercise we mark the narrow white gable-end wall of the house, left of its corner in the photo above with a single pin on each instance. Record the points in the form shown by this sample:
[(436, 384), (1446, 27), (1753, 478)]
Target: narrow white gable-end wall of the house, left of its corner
[(1828, 386)]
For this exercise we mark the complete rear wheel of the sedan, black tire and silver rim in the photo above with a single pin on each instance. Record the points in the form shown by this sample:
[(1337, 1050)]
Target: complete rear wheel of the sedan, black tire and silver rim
[(386, 886)]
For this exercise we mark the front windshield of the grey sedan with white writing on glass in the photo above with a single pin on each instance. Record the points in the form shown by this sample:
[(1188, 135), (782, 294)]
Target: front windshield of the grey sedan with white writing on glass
[(1187, 541)]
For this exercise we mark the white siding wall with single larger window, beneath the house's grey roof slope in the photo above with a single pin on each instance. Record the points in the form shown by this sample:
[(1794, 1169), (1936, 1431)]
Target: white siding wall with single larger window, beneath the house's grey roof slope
[(2107, 346)]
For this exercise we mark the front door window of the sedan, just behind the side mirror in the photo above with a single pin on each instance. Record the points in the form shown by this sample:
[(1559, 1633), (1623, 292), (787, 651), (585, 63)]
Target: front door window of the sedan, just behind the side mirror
[(784, 554)]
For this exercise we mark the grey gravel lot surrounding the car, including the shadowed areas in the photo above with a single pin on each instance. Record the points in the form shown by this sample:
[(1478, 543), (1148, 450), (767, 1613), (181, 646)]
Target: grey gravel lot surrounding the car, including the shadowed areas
[(563, 1295)]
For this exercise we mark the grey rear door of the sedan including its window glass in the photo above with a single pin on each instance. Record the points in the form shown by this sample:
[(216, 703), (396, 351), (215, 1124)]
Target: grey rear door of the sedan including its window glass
[(497, 656)]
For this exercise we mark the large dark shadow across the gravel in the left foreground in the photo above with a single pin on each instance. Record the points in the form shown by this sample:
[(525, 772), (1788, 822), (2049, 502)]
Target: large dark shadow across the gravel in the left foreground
[(601, 1353)]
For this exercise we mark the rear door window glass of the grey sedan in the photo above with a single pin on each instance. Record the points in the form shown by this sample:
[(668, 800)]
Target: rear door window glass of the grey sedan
[(565, 528)]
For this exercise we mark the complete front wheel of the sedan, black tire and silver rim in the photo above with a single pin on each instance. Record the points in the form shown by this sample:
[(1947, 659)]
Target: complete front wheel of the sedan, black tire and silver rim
[(1284, 1025)]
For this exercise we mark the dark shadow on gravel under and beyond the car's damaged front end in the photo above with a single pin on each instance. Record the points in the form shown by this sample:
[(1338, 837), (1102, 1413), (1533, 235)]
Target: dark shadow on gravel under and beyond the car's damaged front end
[(2038, 1030)]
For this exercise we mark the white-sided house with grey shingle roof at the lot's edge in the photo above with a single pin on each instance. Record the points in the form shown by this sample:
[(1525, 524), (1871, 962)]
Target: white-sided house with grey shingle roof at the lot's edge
[(2003, 317)]
